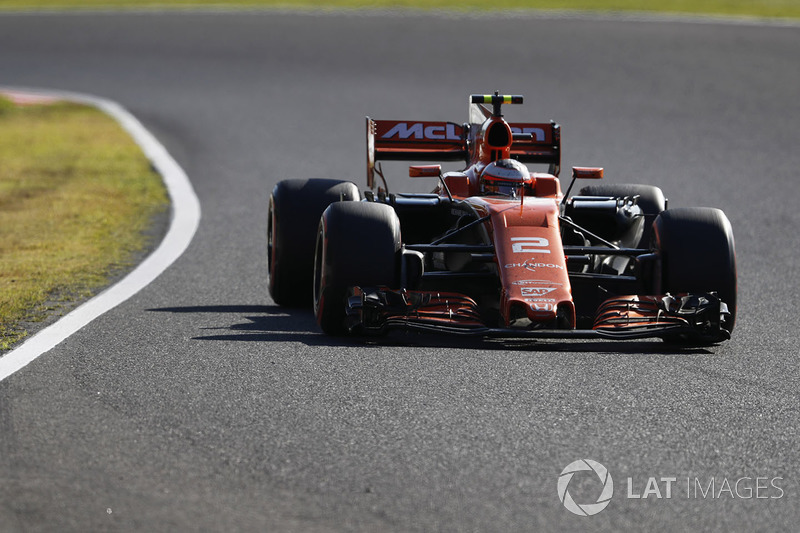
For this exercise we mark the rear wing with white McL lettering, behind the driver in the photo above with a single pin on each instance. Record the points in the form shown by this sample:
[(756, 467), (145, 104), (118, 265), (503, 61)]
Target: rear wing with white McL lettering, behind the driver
[(398, 140)]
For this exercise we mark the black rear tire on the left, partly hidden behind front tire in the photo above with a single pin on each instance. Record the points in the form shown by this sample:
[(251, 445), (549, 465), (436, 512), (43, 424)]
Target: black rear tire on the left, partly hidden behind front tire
[(295, 207)]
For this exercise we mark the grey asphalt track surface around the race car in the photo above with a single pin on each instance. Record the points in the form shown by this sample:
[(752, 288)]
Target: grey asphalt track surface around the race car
[(200, 405)]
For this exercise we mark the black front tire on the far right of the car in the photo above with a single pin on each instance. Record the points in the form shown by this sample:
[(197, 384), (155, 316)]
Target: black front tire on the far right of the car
[(697, 253)]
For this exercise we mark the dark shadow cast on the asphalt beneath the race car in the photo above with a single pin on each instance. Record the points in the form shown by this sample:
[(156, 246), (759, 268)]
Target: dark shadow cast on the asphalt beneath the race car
[(272, 323)]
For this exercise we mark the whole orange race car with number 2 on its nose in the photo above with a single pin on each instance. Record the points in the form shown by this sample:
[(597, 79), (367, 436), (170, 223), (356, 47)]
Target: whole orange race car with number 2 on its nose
[(495, 249)]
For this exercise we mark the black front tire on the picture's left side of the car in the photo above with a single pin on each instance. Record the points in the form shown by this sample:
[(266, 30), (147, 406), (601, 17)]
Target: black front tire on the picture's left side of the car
[(358, 244)]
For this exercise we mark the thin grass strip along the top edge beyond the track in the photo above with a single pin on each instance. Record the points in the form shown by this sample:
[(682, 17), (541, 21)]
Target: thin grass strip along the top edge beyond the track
[(753, 8)]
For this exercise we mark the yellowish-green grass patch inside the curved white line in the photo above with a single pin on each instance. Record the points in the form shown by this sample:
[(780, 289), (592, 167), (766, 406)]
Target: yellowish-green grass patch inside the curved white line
[(76, 199)]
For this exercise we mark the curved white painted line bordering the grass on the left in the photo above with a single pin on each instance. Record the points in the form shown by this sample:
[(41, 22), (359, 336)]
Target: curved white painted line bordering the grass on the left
[(184, 223)]
